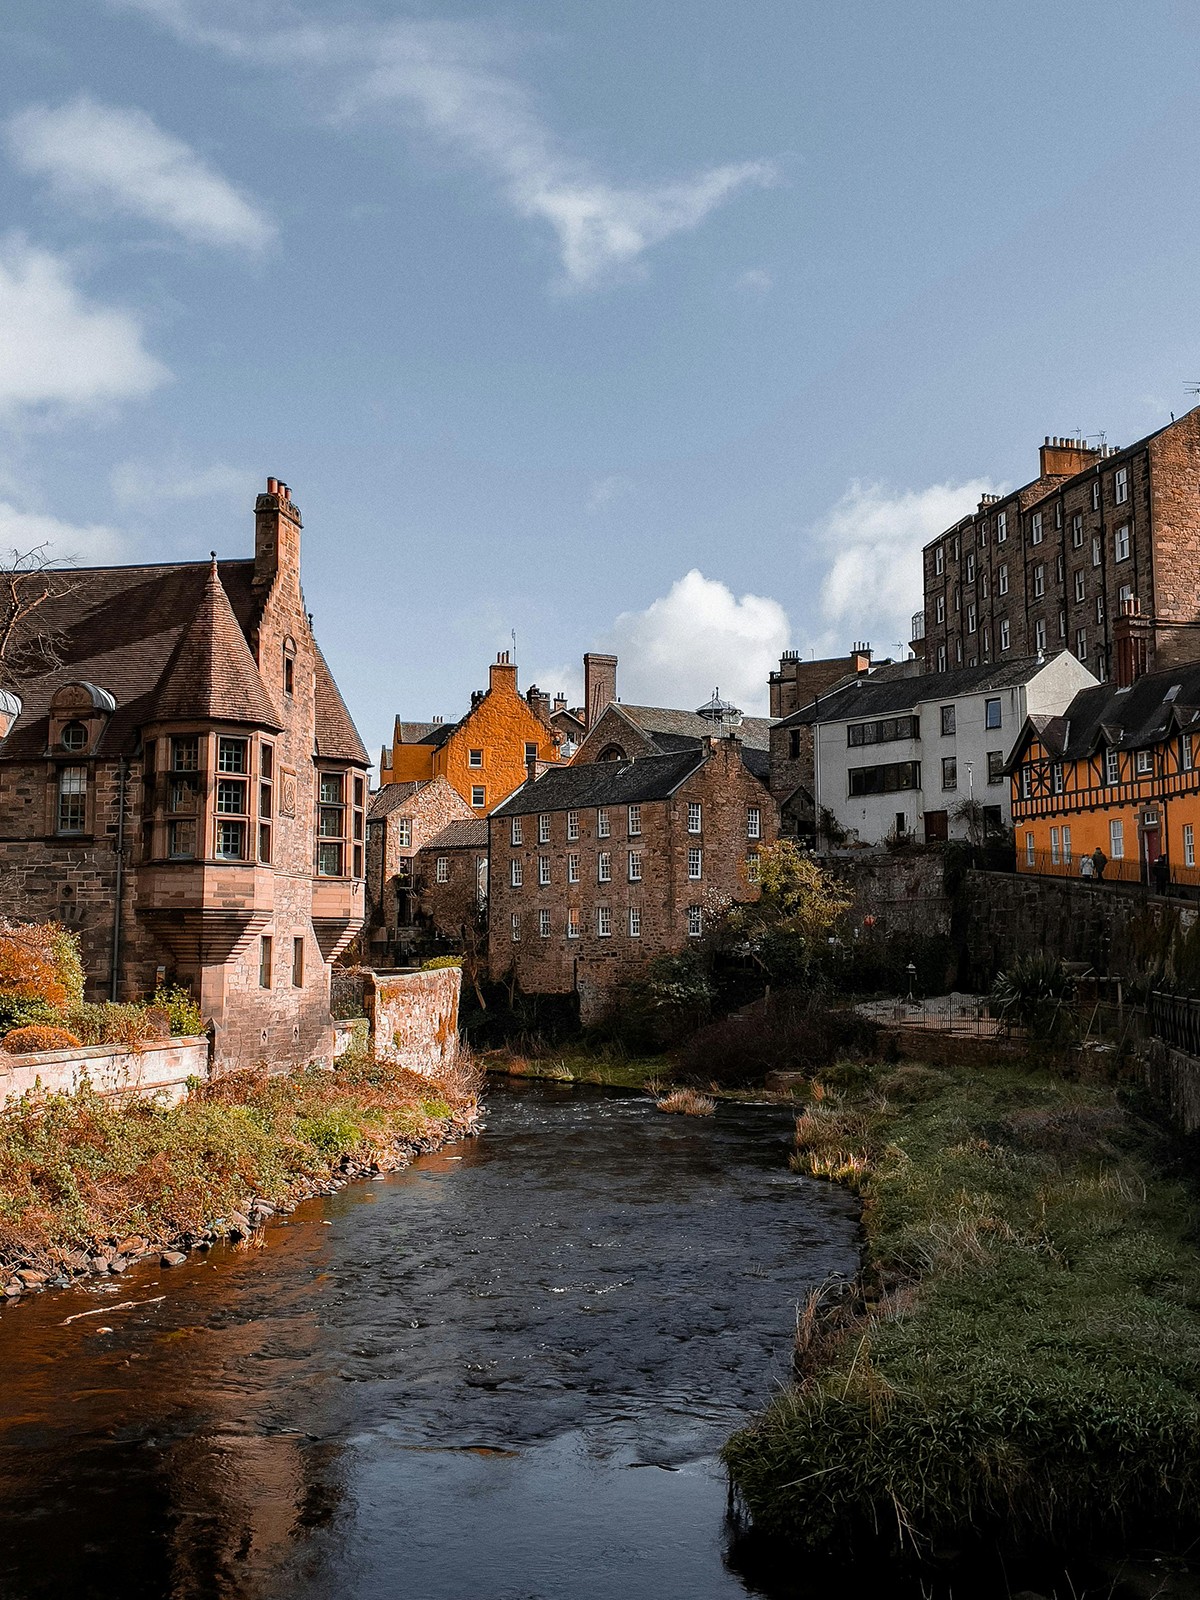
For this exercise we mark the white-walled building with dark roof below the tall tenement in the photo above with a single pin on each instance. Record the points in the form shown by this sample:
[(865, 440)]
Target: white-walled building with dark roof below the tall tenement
[(908, 756)]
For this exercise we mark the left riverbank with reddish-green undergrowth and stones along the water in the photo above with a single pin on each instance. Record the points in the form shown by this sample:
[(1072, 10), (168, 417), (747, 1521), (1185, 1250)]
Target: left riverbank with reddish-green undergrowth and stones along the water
[(89, 1186)]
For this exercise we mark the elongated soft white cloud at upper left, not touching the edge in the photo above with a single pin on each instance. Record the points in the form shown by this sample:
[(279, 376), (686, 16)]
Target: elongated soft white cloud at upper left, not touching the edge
[(111, 158)]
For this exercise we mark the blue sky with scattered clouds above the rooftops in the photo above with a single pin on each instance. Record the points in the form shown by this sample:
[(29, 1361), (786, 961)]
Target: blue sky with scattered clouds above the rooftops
[(665, 329)]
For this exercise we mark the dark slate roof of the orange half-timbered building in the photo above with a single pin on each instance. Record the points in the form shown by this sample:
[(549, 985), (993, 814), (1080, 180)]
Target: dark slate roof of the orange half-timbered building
[(1142, 716)]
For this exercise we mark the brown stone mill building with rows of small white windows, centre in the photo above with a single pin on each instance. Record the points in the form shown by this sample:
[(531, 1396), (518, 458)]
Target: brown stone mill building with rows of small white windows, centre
[(601, 866)]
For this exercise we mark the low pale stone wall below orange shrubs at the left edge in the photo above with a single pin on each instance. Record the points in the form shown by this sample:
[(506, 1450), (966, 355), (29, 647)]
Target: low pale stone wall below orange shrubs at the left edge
[(158, 1068)]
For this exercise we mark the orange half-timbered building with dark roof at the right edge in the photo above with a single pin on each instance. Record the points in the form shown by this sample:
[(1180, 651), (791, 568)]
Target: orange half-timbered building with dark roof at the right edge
[(1116, 774)]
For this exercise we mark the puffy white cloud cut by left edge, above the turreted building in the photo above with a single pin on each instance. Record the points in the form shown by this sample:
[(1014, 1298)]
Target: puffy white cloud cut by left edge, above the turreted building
[(58, 346)]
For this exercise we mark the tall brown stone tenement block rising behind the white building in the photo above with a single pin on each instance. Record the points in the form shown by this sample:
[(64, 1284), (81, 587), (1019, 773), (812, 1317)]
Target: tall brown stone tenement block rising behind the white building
[(1052, 566)]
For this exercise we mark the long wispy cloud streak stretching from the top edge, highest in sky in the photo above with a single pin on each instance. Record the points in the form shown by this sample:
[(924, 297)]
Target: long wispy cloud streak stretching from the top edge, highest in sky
[(447, 79)]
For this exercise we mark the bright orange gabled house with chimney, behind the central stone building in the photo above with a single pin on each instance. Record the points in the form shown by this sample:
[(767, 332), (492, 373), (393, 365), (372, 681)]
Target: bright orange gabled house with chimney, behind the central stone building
[(486, 754)]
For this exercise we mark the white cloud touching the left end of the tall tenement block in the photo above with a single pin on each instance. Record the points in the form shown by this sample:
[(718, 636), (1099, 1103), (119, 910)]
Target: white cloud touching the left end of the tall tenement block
[(874, 542)]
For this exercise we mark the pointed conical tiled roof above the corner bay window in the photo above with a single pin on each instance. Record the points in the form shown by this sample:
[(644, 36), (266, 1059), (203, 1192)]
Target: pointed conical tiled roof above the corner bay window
[(212, 673)]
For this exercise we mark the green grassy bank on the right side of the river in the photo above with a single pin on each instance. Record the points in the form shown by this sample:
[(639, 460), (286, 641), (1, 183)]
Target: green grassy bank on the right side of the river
[(1023, 1354)]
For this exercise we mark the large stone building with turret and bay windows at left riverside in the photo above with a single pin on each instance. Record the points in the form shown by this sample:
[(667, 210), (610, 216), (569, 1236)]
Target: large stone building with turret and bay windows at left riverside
[(185, 788)]
